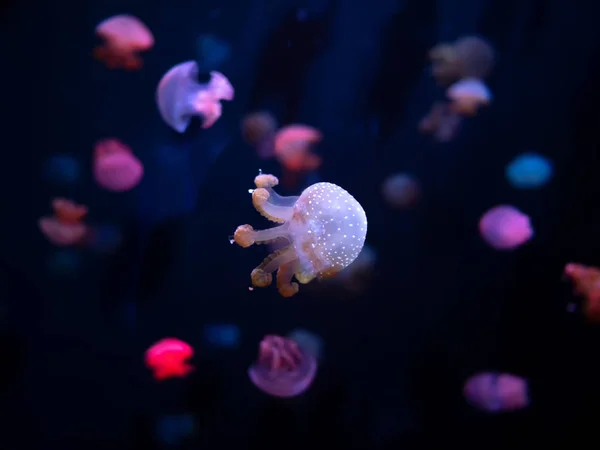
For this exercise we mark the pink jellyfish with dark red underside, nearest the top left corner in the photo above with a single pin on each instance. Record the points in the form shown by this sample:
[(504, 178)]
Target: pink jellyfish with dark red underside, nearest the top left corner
[(124, 37)]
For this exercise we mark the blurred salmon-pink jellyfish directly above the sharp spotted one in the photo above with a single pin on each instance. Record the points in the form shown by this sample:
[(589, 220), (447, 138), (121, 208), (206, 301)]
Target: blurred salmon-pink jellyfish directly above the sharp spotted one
[(293, 151)]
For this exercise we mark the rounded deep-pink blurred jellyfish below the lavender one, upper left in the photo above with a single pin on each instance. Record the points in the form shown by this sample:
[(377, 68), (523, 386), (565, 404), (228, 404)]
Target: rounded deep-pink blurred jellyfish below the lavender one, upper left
[(115, 166)]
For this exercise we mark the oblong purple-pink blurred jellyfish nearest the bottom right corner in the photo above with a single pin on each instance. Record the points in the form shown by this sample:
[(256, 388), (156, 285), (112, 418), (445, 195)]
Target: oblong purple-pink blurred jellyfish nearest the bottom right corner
[(491, 392)]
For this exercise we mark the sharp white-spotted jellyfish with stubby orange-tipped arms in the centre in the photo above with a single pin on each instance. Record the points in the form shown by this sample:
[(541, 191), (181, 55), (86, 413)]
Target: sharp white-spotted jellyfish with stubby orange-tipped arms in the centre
[(325, 226)]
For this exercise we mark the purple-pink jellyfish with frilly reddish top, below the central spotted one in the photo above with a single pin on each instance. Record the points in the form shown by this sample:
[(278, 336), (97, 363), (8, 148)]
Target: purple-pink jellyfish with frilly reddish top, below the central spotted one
[(282, 369)]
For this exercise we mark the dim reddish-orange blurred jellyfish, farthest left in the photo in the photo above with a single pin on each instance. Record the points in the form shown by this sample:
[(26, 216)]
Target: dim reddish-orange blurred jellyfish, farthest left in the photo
[(65, 227)]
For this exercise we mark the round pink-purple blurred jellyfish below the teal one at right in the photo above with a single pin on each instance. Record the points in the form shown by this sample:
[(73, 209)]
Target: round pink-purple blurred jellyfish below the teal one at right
[(505, 227)]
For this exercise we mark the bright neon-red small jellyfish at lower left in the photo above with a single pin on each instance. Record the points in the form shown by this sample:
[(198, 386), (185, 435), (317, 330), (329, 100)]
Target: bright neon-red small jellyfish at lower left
[(168, 358)]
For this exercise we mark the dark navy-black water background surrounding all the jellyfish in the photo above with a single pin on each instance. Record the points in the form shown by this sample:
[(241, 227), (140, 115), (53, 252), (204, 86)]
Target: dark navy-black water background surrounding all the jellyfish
[(441, 306)]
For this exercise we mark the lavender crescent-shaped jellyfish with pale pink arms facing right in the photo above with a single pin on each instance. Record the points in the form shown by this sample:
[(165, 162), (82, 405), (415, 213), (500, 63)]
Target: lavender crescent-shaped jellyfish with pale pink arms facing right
[(180, 96)]
